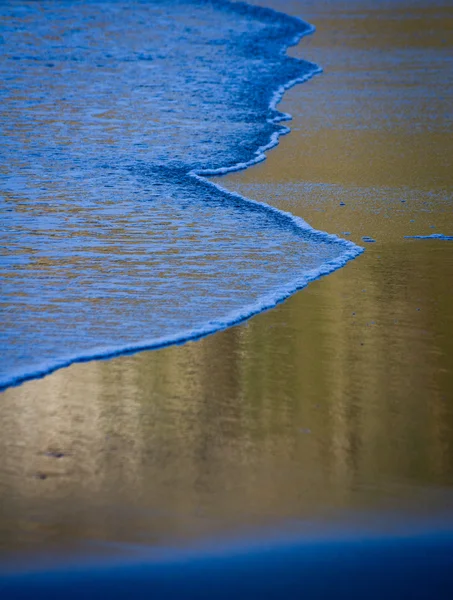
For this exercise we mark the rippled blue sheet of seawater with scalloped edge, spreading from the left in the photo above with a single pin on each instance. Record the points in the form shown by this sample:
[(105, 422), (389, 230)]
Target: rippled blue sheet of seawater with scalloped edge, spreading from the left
[(110, 239)]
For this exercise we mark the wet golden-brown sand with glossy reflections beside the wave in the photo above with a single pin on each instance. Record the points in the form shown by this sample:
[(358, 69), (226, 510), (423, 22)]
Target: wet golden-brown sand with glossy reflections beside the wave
[(337, 401)]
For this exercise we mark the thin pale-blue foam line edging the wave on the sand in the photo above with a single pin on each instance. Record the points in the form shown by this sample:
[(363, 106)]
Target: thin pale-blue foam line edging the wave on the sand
[(265, 302)]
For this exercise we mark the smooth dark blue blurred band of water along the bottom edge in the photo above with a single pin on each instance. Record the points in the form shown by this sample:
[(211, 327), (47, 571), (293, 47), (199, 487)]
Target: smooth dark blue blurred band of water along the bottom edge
[(349, 565)]
